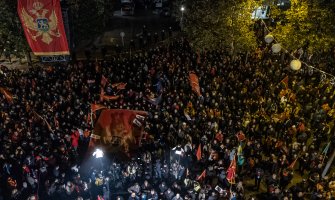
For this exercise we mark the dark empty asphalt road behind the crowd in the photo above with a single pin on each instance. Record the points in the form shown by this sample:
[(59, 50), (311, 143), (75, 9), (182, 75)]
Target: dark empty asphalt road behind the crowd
[(132, 27)]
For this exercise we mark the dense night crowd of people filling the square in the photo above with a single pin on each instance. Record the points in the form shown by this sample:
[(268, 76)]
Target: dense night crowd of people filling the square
[(274, 122)]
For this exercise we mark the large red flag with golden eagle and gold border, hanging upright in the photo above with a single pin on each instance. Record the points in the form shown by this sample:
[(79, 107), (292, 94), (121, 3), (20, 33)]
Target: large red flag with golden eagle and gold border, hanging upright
[(43, 26)]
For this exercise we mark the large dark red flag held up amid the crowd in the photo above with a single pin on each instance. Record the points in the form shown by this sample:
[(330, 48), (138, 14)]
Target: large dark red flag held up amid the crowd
[(119, 127)]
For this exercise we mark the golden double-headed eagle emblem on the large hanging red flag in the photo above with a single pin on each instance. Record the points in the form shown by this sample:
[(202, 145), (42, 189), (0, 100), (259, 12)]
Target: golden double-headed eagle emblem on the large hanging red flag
[(40, 25)]
